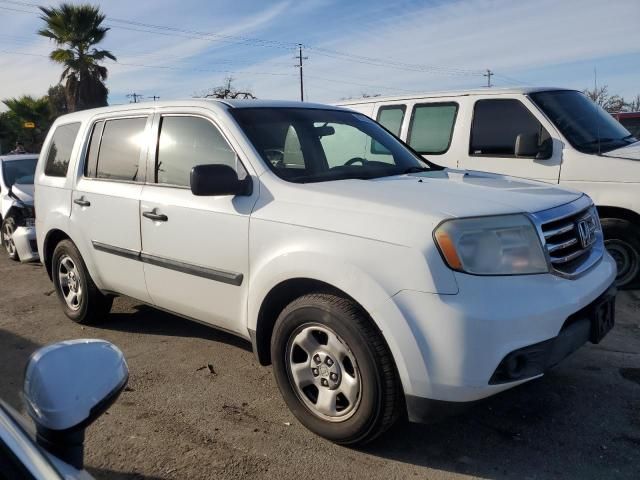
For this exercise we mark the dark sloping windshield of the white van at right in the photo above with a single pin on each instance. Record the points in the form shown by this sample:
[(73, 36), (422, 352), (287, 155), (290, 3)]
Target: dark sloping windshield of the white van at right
[(587, 126)]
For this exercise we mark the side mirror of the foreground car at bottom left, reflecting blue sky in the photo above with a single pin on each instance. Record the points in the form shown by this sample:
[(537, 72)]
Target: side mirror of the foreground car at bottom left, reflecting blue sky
[(67, 386)]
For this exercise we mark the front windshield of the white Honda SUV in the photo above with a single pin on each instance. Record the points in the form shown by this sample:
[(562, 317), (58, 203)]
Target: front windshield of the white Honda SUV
[(311, 145)]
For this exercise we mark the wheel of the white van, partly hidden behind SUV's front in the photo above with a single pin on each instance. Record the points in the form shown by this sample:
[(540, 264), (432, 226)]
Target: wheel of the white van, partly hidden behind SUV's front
[(622, 239)]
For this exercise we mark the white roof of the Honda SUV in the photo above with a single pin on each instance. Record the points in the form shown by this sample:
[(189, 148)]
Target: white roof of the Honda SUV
[(210, 103)]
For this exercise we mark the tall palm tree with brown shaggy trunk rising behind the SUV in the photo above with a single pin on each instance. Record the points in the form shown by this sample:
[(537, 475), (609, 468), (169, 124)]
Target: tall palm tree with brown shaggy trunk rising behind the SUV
[(76, 29)]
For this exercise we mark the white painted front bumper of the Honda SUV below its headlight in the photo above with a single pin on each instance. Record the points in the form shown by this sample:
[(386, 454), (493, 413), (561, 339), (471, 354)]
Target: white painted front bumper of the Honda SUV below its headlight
[(448, 347)]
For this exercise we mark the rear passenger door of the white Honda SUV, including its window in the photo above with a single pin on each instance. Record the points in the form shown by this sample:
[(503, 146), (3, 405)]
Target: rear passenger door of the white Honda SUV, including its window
[(106, 202)]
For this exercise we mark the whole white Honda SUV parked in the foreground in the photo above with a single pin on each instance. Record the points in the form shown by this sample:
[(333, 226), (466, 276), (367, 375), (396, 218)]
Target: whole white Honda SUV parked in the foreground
[(375, 282)]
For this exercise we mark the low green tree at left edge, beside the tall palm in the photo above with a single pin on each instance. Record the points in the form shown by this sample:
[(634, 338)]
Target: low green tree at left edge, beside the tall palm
[(21, 110)]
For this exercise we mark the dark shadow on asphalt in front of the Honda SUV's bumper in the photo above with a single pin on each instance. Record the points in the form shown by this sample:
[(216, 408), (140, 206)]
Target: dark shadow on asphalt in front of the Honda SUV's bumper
[(560, 426)]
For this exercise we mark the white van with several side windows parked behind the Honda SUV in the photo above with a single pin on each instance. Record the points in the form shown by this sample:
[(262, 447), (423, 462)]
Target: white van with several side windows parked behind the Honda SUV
[(548, 134)]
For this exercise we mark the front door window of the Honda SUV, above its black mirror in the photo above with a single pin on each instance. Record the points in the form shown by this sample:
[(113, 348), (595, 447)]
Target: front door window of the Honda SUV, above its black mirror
[(186, 142)]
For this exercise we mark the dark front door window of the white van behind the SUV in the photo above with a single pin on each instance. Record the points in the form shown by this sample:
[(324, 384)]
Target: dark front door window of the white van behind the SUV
[(496, 125)]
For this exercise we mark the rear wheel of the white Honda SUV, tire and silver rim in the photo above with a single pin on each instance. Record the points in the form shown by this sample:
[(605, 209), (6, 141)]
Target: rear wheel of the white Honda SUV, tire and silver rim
[(81, 300)]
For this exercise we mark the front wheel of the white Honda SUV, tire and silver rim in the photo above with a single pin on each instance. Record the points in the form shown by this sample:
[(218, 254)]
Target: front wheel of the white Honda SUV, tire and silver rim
[(334, 369)]
